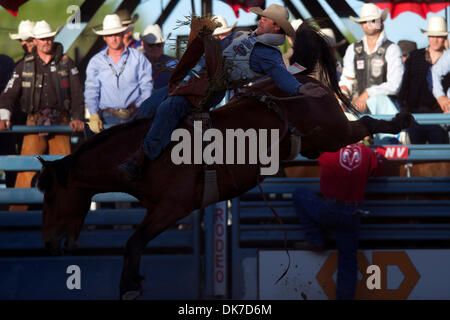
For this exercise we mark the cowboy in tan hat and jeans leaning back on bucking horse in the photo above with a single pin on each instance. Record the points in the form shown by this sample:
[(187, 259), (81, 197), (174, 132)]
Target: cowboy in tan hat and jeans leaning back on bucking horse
[(253, 55)]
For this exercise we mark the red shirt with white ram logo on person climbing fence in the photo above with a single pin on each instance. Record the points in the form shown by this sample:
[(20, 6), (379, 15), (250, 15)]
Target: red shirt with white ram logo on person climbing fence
[(344, 174)]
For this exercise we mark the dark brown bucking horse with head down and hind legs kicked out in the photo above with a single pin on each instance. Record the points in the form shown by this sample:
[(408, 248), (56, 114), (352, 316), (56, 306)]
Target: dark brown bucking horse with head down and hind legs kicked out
[(170, 192)]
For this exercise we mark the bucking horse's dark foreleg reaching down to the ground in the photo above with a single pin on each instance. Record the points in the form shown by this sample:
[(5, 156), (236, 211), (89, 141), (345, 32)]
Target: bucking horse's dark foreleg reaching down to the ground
[(156, 221)]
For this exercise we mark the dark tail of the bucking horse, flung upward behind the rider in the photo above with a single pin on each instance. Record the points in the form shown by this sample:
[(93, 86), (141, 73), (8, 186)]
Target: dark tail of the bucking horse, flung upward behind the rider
[(312, 52)]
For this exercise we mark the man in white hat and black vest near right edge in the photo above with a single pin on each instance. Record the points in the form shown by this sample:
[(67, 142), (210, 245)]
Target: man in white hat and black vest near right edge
[(415, 95)]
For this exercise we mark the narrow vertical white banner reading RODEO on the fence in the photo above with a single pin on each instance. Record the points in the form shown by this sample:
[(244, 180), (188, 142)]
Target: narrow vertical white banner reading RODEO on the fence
[(220, 249)]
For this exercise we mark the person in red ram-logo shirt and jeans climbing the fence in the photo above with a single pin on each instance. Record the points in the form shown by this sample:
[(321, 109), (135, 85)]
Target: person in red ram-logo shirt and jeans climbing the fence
[(343, 178)]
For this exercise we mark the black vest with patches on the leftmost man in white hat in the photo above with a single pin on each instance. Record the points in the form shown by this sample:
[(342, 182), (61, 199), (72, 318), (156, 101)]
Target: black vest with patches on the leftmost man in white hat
[(32, 82)]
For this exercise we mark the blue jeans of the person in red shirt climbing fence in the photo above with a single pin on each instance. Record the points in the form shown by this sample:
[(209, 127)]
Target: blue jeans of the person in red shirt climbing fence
[(318, 218)]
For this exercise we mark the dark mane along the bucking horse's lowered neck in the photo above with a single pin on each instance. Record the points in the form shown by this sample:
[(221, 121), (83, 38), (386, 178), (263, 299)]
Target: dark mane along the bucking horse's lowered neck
[(63, 166)]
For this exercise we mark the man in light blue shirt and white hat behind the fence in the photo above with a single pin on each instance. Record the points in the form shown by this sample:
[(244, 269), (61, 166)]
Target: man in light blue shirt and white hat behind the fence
[(118, 78)]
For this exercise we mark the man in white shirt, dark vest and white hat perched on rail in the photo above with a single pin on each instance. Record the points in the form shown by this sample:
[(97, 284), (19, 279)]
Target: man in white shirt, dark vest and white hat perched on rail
[(373, 67)]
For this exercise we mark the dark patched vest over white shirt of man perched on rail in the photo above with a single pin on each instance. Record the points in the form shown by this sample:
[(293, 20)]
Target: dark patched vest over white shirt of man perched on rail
[(370, 69)]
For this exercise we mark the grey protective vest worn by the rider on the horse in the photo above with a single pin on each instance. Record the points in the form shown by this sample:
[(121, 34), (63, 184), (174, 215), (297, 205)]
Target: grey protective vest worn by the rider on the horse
[(237, 56)]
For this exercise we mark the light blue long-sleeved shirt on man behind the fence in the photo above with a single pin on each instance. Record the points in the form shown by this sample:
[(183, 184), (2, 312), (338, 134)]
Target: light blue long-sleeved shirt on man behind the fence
[(105, 88)]
